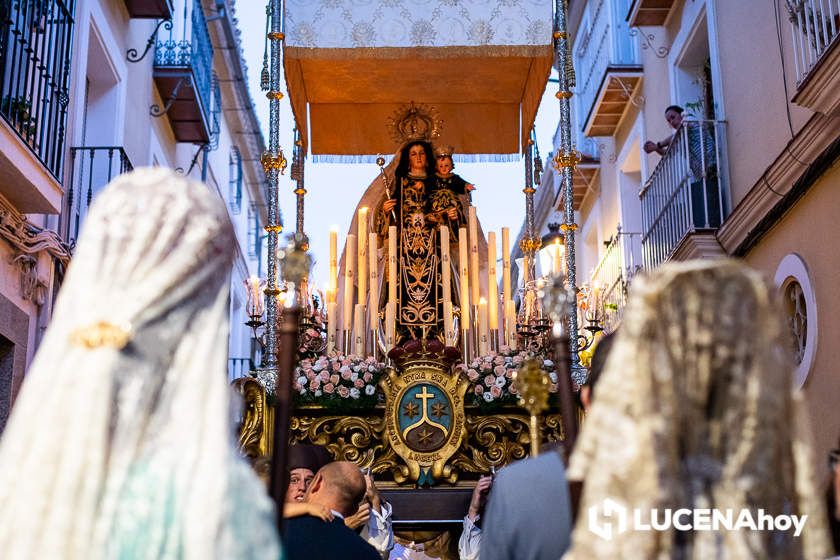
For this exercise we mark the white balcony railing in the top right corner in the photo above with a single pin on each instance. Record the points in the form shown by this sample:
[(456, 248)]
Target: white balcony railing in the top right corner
[(815, 25)]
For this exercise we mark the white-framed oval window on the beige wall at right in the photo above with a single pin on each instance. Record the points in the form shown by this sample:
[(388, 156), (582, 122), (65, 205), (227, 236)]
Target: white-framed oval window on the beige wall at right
[(800, 306)]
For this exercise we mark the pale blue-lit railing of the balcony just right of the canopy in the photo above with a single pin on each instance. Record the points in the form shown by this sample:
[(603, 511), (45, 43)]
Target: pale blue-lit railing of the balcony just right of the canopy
[(604, 43)]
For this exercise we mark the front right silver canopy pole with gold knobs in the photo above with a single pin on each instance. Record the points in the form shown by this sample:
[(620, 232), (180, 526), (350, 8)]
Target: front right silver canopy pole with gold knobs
[(565, 162)]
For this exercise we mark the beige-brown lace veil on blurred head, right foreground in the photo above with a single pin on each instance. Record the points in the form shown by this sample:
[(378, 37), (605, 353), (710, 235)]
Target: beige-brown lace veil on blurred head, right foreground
[(695, 409)]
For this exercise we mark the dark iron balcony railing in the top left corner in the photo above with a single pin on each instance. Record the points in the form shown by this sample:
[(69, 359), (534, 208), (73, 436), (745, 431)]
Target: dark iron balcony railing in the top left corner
[(35, 44)]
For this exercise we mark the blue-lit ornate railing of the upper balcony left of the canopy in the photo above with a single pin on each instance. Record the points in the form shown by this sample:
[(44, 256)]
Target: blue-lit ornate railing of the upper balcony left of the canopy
[(186, 44)]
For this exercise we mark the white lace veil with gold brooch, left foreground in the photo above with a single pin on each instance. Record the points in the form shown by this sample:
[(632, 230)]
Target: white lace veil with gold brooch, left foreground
[(120, 441)]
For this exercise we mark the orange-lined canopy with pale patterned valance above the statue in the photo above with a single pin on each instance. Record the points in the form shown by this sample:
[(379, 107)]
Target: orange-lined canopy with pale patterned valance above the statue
[(351, 65)]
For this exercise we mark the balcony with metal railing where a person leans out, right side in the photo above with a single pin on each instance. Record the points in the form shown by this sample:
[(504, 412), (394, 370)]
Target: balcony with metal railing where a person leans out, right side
[(684, 200)]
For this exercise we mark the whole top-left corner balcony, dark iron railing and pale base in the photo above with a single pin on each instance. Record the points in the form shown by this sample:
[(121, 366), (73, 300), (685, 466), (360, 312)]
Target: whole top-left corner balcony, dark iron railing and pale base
[(35, 45)]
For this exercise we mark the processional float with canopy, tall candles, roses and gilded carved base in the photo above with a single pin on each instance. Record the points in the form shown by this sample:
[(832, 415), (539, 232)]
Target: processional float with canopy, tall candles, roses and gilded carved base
[(412, 364)]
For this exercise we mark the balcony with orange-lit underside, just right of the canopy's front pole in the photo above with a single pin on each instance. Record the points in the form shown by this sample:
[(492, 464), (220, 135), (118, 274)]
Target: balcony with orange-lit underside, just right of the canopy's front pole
[(609, 68)]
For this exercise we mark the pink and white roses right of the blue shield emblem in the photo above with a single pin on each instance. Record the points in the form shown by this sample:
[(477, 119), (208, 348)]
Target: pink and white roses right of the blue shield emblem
[(491, 377)]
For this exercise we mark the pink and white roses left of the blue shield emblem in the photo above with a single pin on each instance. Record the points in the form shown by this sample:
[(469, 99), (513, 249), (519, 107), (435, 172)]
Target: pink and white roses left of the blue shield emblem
[(337, 381)]
